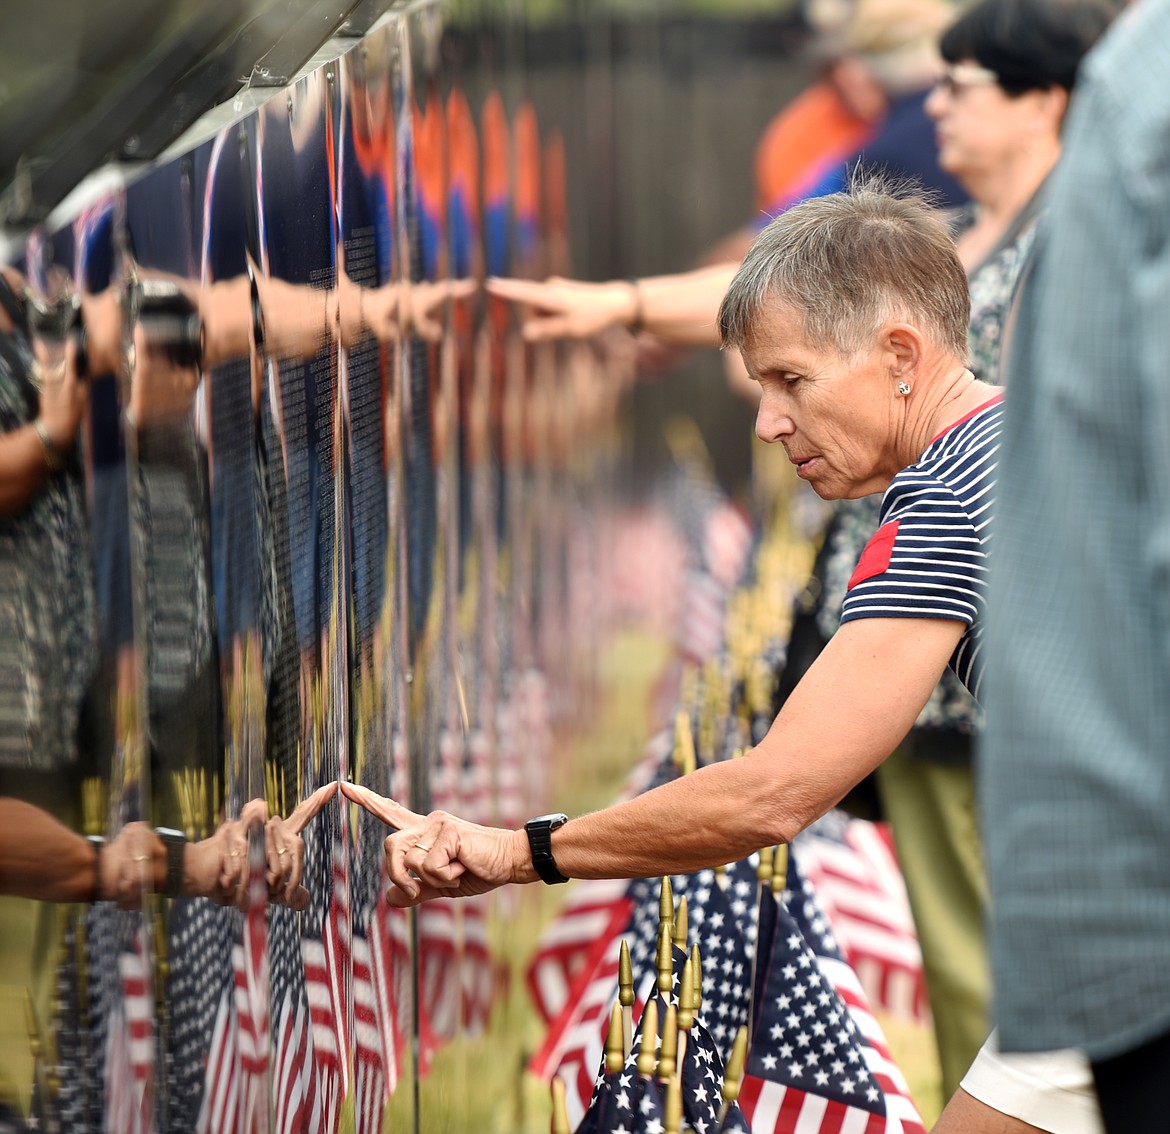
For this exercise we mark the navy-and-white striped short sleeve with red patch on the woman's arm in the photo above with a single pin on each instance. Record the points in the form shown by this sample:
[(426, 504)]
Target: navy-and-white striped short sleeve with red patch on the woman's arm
[(926, 561)]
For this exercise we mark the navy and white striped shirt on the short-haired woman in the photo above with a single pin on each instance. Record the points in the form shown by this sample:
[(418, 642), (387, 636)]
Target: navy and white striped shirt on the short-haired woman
[(930, 558)]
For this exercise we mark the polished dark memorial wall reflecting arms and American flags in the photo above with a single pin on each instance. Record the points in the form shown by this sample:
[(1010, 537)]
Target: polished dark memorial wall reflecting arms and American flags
[(329, 518)]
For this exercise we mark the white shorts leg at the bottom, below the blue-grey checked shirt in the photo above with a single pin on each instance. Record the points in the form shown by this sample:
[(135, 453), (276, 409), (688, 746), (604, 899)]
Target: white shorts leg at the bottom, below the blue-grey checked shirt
[(1052, 1090)]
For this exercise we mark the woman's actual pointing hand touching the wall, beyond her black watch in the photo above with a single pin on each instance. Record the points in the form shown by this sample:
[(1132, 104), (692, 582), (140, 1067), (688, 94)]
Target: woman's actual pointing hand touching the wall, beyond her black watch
[(442, 856)]
